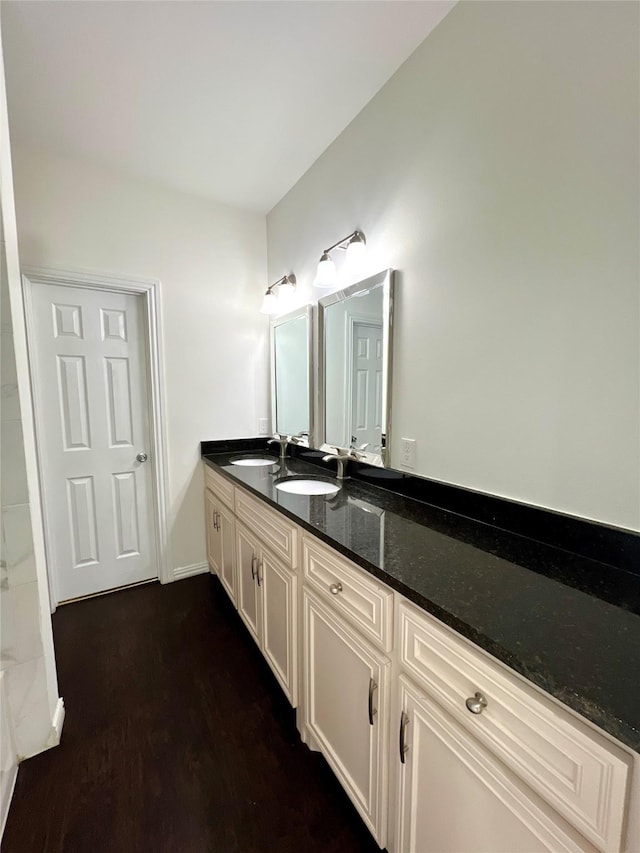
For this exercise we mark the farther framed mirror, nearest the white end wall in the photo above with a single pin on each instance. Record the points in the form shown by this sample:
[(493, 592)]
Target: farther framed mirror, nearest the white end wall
[(291, 342)]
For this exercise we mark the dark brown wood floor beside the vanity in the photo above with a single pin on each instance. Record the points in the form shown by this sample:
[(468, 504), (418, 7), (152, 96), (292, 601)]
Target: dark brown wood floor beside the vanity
[(177, 738)]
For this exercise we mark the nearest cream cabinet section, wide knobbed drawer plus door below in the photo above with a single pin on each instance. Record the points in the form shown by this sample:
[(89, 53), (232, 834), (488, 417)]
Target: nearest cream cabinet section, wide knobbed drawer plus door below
[(484, 753)]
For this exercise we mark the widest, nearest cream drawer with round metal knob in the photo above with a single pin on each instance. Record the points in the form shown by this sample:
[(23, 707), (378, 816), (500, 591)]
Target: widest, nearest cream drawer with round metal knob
[(581, 774)]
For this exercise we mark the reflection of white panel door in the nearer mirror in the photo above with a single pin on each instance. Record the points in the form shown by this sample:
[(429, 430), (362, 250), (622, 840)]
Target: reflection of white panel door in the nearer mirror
[(365, 409)]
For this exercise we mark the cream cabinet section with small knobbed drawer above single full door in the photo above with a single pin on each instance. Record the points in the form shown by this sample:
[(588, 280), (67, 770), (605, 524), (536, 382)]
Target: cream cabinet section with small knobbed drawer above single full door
[(347, 678)]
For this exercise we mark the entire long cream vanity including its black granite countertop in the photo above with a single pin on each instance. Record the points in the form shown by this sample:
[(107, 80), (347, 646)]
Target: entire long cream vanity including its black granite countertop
[(467, 693)]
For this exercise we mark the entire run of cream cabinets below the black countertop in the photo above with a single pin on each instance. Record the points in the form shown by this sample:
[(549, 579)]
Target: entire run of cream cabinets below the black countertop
[(441, 748)]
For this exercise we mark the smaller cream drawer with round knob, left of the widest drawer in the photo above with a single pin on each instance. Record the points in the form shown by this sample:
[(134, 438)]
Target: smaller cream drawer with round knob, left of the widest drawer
[(366, 603)]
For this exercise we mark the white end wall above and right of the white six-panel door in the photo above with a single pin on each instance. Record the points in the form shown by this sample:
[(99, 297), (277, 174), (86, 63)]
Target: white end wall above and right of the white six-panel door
[(211, 262)]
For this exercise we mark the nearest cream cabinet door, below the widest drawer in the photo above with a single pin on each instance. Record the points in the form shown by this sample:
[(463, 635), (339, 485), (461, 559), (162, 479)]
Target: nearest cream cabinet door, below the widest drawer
[(454, 796)]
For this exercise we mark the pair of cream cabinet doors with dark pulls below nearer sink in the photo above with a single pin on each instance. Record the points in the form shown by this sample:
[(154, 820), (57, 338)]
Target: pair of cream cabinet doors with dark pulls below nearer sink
[(267, 603)]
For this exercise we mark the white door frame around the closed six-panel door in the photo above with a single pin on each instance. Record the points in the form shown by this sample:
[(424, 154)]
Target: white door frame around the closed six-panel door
[(149, 290)]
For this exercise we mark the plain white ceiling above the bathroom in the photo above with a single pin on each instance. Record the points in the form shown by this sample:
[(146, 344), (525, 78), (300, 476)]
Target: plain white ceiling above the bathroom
[(231, 100)]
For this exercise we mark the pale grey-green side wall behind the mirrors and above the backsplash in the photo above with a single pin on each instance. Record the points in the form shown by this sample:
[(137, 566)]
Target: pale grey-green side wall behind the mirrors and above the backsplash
[(498, 172)]
